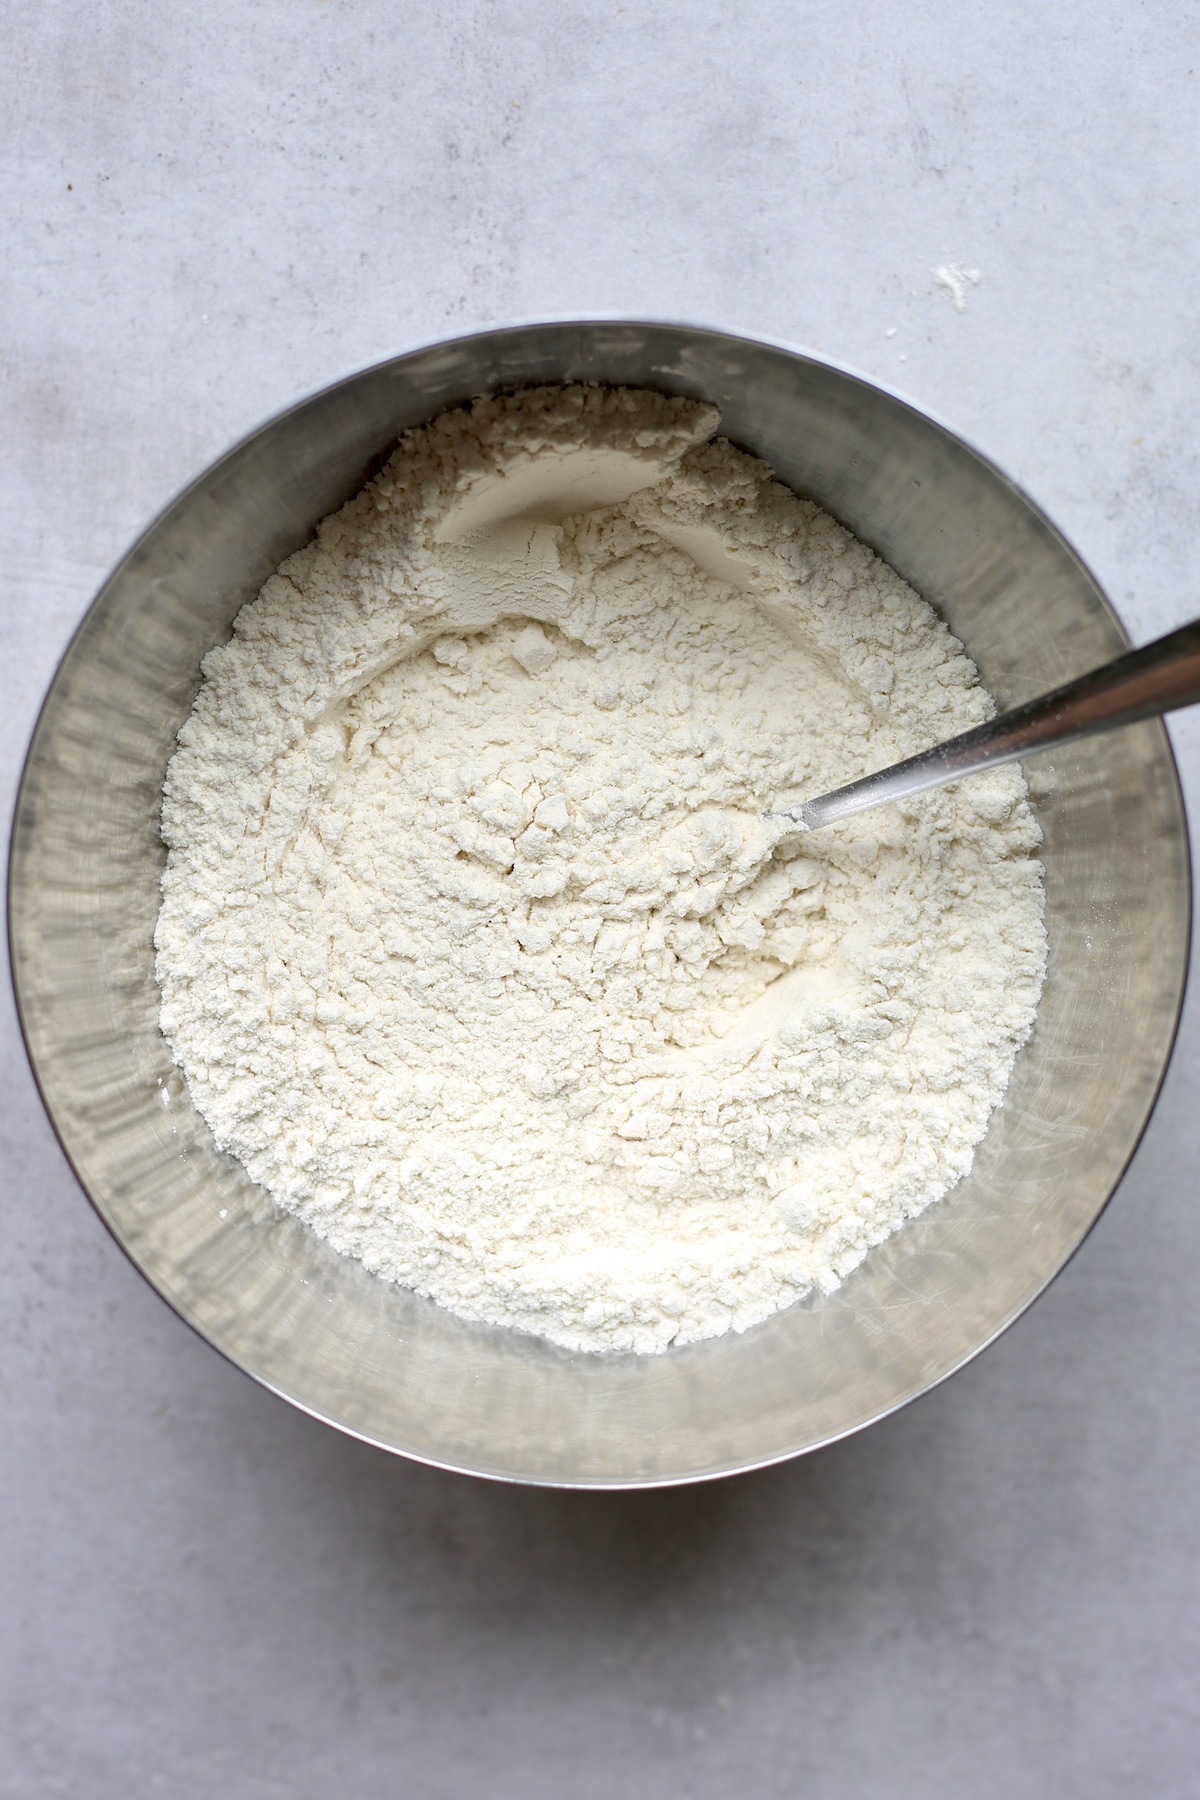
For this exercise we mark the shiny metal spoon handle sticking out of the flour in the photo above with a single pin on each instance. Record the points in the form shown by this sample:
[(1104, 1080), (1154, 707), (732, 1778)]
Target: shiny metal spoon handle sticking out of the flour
[(1142, 685)]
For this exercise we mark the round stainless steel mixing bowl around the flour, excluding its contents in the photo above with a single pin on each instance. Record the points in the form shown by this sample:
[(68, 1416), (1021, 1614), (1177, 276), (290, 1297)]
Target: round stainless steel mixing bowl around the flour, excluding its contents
[(382, 1363)]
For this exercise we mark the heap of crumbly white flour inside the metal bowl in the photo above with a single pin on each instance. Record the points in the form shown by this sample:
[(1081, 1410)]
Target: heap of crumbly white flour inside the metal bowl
[(474, 946)]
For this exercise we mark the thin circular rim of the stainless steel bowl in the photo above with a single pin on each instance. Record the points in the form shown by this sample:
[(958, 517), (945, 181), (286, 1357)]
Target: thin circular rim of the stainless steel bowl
[(269, 422)]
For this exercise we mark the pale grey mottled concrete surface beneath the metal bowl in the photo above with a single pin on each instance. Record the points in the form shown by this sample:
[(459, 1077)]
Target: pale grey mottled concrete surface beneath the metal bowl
[(213, 210)]
